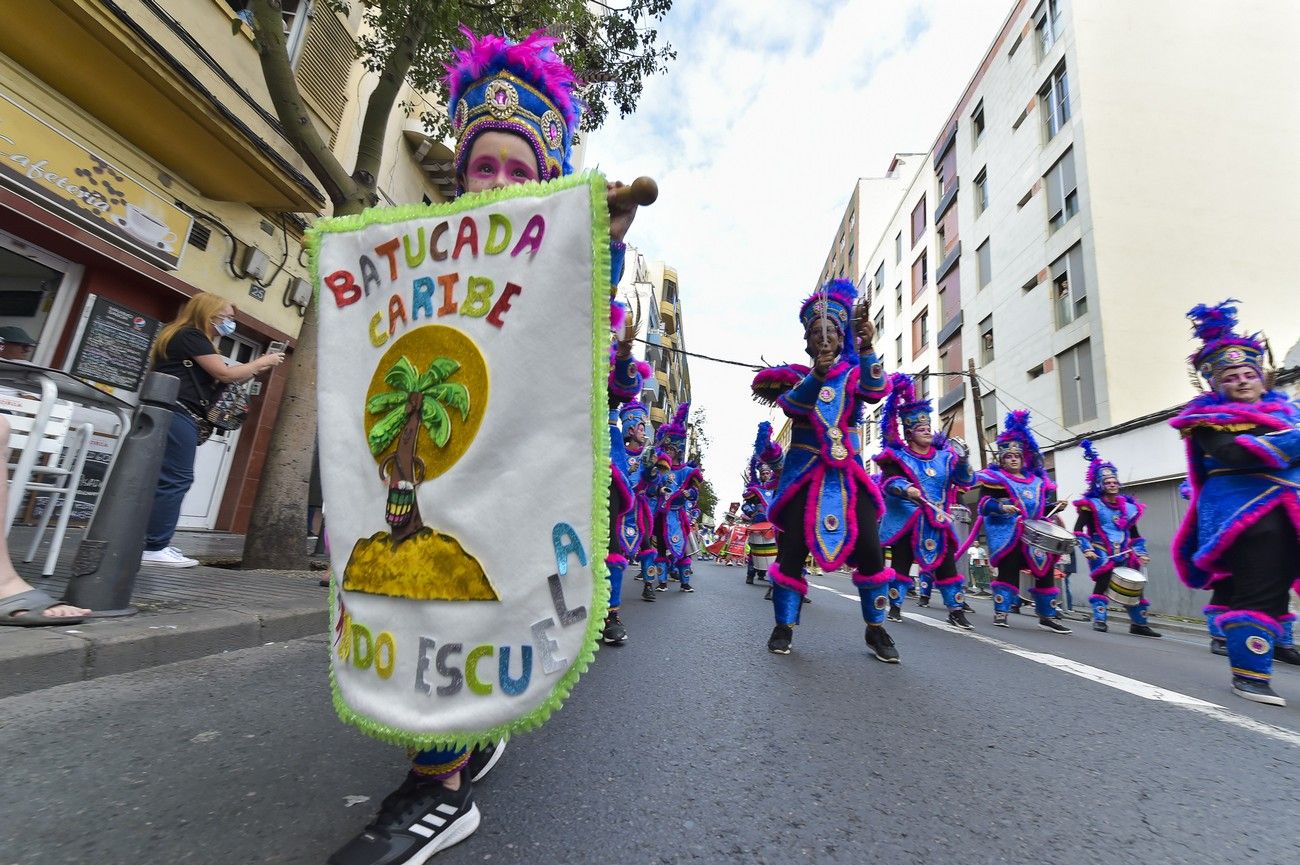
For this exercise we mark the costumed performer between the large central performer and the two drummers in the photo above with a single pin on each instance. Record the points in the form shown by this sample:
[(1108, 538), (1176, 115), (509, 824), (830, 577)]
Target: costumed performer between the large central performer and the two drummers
[(924, 474)]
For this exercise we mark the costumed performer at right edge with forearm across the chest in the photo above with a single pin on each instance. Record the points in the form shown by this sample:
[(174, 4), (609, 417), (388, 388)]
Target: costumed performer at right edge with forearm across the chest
[(1241, 535)]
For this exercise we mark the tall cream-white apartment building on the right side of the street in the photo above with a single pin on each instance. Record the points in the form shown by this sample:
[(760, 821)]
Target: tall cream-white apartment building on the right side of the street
[(1107, 167)]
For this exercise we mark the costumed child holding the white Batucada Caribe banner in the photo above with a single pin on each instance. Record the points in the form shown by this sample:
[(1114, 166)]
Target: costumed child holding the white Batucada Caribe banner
[(514, 110)]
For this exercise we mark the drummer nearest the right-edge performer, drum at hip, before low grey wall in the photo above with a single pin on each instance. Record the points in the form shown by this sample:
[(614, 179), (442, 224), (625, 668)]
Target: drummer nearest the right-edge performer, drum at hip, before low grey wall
[(1108, 535)]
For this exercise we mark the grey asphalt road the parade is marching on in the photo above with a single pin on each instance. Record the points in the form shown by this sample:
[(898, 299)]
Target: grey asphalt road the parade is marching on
[(694, 745)]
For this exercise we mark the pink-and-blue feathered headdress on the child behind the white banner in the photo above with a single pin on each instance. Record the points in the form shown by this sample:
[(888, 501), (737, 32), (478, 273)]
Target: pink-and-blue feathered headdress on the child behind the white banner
[(521, 88)]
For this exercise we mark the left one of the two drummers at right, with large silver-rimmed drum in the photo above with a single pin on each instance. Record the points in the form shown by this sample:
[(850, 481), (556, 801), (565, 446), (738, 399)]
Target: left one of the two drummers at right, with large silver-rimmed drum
[(1017, 499)]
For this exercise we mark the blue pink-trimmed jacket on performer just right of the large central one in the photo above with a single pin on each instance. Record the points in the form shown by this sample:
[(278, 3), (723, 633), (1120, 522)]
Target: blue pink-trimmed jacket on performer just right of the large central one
[(939, 475)]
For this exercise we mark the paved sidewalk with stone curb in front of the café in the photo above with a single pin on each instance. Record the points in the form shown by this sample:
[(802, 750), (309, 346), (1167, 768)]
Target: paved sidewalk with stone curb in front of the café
[(184, 615)]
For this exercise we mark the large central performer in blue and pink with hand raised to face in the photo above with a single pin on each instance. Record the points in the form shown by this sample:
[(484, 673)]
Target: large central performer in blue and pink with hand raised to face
[(826, 504)]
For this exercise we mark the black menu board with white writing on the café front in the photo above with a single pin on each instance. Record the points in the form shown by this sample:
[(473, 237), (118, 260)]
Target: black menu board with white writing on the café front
[(115, 345)]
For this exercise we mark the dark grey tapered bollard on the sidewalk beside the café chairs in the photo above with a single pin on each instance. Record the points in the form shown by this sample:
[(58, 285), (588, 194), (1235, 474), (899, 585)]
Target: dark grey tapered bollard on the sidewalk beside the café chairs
[(103, 574)]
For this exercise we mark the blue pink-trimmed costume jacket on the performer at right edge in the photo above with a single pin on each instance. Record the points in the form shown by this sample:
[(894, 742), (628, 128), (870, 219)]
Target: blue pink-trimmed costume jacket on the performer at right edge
[(1232, 490)]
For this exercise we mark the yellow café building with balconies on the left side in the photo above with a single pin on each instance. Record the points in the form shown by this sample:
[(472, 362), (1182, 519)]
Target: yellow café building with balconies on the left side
[(141, 161)]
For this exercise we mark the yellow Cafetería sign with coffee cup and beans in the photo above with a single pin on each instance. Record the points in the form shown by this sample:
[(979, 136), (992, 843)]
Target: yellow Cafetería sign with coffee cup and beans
[(45, 163)]
